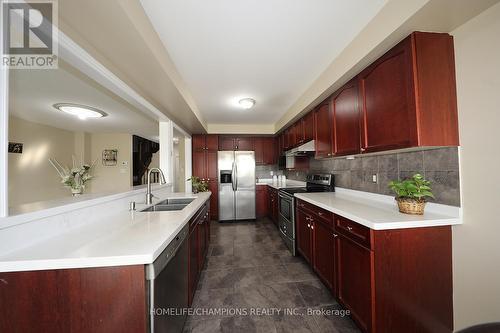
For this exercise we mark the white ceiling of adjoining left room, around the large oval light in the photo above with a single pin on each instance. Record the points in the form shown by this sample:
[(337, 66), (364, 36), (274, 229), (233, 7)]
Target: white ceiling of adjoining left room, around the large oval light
[(32, 94)]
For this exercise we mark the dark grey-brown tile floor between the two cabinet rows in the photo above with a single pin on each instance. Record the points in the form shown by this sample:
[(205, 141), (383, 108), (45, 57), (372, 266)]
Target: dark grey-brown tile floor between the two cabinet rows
[(248, 269)]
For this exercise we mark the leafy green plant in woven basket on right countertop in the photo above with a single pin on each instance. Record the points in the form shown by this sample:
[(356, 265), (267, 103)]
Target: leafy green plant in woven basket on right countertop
[(411, 194)]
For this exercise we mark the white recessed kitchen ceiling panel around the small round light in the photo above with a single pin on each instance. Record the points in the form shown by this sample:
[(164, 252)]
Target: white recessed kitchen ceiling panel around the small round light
[(268, 50)]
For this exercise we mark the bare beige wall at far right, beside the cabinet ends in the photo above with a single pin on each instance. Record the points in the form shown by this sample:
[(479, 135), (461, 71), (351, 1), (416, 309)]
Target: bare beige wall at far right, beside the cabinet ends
[(476, 243)]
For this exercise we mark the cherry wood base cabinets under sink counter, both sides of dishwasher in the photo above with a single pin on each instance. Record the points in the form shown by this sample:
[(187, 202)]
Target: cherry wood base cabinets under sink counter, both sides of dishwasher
[(99, 299)]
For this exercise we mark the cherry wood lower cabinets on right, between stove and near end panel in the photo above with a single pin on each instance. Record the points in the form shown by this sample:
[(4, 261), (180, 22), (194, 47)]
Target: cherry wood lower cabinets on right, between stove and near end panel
[(391, 280)]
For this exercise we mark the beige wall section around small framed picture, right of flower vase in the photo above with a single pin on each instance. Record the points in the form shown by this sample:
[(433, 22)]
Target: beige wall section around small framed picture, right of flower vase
[(111, 178)]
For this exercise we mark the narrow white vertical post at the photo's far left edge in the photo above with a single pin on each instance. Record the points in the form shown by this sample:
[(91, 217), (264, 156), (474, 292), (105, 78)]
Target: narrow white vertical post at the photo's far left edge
[(4, 135)]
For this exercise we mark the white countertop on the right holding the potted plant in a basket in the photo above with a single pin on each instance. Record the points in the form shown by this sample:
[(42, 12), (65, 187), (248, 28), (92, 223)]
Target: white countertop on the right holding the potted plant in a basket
[(380, 212)]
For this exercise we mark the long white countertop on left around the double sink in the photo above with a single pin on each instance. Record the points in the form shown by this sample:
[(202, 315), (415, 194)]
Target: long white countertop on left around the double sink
[(124, 238)]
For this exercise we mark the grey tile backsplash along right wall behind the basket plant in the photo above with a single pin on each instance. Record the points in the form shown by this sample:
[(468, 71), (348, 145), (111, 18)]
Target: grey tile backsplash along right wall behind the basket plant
[(440, 166)]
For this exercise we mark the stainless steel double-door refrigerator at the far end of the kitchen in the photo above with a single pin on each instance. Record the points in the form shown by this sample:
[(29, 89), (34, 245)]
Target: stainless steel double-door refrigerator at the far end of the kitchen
[(236, 170)]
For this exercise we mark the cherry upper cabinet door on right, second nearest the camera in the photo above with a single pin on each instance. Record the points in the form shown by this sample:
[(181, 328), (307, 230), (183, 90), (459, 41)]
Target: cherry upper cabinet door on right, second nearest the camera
[(346, 136)]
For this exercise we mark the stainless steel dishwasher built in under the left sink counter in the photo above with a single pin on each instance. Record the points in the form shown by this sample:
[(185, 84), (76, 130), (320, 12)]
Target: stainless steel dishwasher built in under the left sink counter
[(167, 280)]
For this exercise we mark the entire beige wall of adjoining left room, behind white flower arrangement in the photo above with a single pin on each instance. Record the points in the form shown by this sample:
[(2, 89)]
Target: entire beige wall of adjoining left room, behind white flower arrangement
[(32, 178)]
